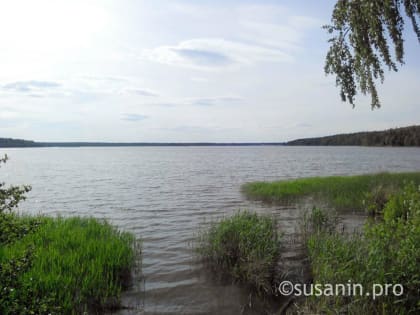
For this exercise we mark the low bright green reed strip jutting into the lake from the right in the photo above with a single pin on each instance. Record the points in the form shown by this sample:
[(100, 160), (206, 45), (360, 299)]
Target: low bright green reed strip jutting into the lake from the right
[(340, 192)]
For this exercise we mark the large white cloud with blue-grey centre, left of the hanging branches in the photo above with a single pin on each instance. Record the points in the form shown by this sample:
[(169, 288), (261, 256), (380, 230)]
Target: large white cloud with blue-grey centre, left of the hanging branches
[(244, 35)]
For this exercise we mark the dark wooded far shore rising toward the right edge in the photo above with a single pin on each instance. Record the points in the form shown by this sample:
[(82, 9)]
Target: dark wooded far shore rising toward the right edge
[(406, 136)]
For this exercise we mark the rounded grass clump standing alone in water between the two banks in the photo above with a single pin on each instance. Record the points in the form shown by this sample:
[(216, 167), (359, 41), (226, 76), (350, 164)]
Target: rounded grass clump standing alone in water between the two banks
[(245, 246)]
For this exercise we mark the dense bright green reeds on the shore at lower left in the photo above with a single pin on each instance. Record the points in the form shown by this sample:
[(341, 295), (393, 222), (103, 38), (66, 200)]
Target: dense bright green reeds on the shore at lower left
[(62, 266)]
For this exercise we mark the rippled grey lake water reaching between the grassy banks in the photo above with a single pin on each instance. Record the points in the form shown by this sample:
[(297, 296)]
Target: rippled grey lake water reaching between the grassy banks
[(164, 195)]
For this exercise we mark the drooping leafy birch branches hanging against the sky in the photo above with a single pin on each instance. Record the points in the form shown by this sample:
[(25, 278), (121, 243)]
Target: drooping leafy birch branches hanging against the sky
[(362, 30)]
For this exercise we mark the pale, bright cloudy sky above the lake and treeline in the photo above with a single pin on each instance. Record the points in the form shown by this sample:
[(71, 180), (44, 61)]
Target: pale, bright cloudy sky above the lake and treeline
[(182, 71)]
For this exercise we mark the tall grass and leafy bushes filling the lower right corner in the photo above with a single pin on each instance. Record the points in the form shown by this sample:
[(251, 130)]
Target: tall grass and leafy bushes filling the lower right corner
[(387, 252)]
